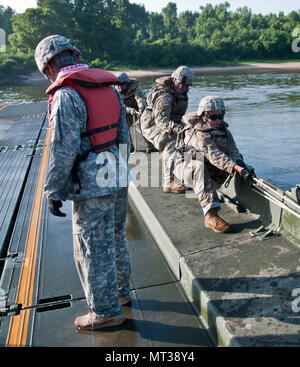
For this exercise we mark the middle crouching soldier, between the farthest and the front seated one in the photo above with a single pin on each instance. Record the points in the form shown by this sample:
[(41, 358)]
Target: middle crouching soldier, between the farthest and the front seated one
[(167, 102)]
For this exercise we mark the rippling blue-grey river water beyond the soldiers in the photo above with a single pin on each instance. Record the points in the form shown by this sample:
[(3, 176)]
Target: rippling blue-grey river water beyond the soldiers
[(262, 110)]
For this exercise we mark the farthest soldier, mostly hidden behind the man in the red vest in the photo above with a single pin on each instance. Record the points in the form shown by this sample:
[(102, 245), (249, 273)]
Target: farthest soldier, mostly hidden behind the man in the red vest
[(135, 102)]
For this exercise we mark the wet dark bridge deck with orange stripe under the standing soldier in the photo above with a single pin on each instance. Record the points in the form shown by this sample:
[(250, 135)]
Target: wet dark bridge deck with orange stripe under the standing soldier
[(40, 289)]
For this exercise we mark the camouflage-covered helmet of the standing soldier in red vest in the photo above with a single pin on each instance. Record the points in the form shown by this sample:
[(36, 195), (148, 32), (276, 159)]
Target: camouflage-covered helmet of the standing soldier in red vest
[(51, 46)]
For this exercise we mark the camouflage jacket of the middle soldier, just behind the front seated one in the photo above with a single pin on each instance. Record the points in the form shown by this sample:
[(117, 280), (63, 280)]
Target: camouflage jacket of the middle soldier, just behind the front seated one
[(164, 110)]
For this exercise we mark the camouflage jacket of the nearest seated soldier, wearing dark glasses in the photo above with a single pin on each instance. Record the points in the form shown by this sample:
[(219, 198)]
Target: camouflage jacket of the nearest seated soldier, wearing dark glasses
[(216, 144)]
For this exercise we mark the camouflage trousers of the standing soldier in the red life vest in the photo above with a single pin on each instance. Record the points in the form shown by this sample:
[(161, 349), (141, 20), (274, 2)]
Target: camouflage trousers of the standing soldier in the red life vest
[(100, 250)]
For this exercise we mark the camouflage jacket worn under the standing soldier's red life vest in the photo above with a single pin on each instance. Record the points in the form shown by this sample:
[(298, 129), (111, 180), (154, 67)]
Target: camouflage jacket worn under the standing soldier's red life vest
[(98, 173)]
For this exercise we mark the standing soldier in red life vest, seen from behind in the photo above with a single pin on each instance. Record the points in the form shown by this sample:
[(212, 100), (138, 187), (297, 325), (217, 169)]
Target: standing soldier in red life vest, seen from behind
[(87, 119)]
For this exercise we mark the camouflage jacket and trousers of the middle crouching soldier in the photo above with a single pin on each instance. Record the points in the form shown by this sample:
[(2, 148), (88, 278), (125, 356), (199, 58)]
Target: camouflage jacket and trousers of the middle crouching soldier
[(161, 118)]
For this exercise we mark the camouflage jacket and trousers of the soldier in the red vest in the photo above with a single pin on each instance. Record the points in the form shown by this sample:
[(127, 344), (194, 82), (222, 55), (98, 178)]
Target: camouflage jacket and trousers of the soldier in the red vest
[(99, 209)]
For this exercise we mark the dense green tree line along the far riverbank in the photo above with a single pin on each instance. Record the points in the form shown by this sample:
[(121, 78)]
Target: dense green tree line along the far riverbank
[(112, 33)]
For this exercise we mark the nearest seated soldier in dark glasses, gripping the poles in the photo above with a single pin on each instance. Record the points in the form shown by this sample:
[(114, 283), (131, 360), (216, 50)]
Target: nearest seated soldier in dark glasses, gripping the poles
[(213, 157)]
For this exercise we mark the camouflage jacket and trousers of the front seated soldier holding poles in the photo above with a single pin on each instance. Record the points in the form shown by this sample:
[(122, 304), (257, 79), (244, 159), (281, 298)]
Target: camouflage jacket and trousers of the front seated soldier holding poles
[(210, 155)]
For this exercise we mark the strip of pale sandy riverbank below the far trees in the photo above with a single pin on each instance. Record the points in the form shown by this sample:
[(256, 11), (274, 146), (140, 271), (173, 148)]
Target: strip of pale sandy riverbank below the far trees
[(36, 77)]
